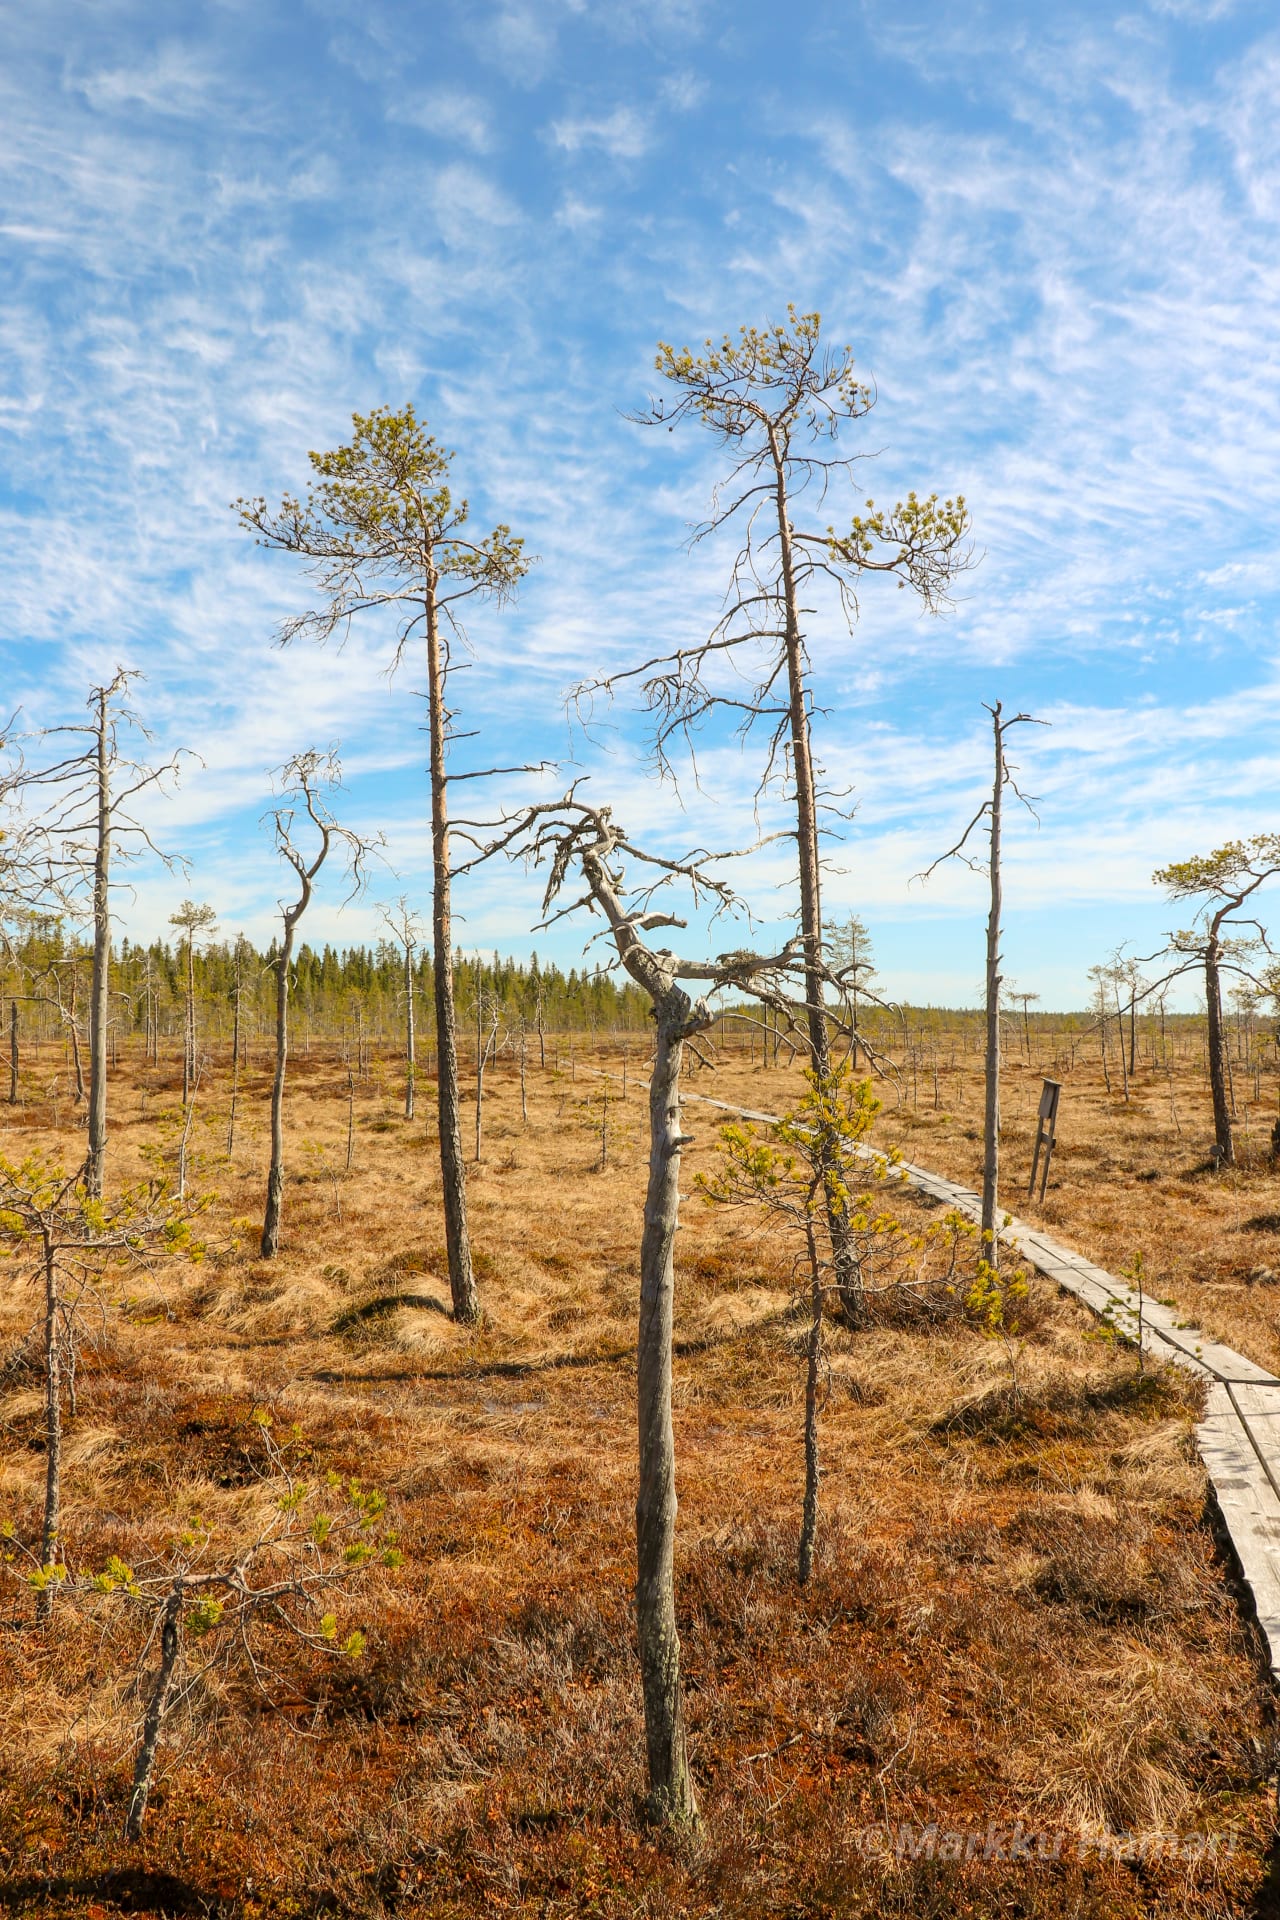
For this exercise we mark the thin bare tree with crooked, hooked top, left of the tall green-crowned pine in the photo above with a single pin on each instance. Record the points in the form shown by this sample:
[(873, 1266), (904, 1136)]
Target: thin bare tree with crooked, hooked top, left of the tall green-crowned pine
[(304, 782)]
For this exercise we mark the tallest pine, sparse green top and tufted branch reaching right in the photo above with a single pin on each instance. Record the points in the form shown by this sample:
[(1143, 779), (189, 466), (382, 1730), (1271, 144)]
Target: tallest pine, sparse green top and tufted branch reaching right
[(778, 400)]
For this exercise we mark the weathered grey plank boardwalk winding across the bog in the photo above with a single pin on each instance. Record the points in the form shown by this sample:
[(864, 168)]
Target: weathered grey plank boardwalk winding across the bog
[(1241, 1433)]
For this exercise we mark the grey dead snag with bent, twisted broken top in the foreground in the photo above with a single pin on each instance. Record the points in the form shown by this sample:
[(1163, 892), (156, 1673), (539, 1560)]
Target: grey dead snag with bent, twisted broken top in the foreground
[(571, 836)]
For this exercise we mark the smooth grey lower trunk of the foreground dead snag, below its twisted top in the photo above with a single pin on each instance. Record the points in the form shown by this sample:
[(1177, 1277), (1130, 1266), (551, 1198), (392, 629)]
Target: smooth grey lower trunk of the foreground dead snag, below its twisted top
[(671, 1787)]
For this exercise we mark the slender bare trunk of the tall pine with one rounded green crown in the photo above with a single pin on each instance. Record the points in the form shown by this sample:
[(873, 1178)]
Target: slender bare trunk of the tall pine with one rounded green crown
[(452, 1166)]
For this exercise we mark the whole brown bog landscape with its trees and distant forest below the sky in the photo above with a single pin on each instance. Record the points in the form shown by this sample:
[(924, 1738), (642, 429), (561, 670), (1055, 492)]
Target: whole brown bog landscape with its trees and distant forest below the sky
[(488, 1435)]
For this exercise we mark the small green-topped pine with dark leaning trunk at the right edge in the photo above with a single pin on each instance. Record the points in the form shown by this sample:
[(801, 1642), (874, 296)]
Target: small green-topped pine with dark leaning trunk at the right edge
[(1223, 882)]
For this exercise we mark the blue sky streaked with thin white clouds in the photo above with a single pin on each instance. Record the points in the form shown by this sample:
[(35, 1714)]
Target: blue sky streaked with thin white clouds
[(1053, 239)]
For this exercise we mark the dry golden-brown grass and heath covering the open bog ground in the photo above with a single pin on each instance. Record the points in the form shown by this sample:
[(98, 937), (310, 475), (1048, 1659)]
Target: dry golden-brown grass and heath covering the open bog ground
[(1020, 1610)]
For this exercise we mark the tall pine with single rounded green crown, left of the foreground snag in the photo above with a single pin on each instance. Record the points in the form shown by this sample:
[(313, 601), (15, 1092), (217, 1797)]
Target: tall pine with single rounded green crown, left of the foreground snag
[(381, 531)]
